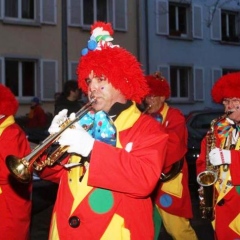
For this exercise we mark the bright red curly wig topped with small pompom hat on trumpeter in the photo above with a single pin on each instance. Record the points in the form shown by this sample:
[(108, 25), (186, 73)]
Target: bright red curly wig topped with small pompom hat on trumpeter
[(118, 65)]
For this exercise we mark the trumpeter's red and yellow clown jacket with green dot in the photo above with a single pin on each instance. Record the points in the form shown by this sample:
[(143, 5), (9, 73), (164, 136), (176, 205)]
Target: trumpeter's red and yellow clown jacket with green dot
[(113, 198)]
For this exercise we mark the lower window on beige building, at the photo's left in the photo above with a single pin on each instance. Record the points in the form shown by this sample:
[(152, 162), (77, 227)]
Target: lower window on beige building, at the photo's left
[(20, 77)]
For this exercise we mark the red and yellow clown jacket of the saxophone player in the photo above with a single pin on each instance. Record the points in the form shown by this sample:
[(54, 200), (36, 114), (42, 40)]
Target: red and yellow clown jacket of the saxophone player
[(227, 201)]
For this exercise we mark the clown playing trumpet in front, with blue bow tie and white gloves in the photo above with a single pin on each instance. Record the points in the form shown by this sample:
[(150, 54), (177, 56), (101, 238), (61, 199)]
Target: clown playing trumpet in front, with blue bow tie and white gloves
[(106, 181)]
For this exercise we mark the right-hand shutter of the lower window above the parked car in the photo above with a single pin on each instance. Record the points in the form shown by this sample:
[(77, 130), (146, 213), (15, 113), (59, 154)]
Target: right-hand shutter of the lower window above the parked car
[(199, 84)]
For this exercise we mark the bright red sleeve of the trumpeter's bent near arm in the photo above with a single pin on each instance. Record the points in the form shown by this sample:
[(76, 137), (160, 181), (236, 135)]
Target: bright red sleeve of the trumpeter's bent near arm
[(133, 172)]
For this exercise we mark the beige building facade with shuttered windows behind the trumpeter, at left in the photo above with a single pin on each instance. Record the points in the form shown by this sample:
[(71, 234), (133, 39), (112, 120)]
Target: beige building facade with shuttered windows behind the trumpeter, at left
[(41, 41)]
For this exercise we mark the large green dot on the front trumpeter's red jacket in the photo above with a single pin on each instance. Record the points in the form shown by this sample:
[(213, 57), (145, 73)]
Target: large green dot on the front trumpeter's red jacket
[(101, 200)]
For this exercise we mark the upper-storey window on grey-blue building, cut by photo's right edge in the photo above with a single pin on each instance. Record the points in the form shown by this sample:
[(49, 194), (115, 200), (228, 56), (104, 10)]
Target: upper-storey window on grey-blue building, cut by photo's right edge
[(229, 27)]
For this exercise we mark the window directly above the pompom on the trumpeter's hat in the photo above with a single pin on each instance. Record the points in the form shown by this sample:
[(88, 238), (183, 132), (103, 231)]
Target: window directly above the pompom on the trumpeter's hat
[(94, 10)]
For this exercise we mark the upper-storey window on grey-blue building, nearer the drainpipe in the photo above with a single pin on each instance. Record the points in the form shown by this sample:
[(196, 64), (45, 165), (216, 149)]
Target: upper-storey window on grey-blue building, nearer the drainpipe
[(179, 15)]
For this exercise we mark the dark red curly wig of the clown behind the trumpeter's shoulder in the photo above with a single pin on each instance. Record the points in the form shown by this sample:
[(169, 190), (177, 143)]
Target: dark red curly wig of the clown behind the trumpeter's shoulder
[(158, 85)]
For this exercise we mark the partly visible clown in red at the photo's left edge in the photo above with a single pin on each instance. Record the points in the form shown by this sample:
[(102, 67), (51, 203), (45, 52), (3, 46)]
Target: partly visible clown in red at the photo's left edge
[(15, 197)]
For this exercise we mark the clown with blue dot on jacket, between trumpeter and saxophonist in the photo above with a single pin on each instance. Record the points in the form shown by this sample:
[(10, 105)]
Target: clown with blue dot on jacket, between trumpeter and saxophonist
[(171, 197)]
